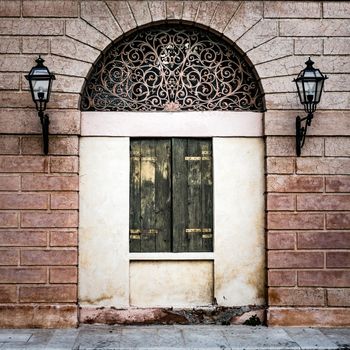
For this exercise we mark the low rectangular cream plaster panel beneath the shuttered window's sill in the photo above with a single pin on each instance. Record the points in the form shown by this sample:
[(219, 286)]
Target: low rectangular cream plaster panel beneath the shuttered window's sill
[(171, 283)]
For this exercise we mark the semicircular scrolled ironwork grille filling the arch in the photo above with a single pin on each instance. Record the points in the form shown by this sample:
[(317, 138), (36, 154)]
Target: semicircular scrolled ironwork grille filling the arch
[(172, 68)]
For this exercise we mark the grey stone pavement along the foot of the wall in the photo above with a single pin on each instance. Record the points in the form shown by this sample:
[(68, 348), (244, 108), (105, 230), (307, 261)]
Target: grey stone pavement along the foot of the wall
[(176, 337)]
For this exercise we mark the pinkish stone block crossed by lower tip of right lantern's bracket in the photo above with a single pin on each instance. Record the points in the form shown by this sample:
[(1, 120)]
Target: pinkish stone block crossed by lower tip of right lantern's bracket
[(285, 146)]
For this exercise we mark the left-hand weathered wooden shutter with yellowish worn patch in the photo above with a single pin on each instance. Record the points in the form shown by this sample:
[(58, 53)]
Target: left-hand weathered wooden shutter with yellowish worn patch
[(150, 195)]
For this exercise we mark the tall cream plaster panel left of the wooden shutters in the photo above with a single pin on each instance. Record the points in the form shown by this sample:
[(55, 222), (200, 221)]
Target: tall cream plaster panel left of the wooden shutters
[(104, 222)]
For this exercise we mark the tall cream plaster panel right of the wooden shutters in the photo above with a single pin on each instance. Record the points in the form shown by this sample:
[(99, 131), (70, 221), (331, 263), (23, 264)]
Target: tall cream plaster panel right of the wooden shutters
[(239, 247)]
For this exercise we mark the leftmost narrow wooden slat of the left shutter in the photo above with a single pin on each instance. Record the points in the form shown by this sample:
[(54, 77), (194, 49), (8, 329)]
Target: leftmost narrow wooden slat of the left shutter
[(135, 195)]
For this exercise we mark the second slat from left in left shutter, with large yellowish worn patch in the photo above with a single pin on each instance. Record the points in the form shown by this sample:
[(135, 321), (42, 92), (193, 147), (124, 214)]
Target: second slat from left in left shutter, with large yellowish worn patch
[(148, 177)]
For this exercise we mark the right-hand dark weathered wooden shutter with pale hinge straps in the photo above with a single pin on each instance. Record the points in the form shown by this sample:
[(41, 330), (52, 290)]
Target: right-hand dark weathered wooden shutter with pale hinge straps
[(192, 195)]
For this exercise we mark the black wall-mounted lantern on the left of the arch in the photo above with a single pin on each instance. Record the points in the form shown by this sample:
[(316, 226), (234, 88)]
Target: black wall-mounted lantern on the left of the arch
[(40, 81)]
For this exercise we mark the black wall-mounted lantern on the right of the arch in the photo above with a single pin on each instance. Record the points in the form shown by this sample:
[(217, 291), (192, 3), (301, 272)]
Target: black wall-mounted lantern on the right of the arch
[(310, 84)]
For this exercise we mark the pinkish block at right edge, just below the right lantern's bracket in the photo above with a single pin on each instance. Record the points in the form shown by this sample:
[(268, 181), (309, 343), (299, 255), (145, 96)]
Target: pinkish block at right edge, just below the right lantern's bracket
[(323, 166)]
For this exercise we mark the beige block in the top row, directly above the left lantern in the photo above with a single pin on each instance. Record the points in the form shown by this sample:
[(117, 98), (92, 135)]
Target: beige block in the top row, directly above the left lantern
[(46, 8)]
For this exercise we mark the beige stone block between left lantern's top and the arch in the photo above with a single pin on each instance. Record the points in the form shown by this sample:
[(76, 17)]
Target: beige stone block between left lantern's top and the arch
[(67, 66)]
